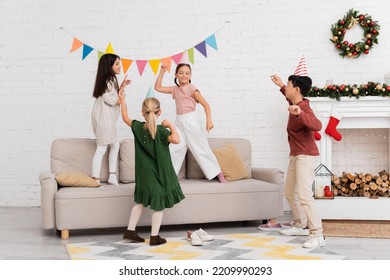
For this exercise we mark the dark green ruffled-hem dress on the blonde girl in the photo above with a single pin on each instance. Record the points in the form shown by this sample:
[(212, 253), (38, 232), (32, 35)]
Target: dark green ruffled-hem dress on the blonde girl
[(156, 182)]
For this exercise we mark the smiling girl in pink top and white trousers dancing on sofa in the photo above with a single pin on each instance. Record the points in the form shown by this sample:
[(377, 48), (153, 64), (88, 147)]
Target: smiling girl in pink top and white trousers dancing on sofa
[(192, 136)]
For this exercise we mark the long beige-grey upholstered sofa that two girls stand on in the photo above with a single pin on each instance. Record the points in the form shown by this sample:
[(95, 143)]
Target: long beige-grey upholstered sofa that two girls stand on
[(69, 208)]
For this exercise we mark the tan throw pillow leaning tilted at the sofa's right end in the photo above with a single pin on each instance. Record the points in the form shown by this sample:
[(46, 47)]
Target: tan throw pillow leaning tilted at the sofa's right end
[(231, 163)]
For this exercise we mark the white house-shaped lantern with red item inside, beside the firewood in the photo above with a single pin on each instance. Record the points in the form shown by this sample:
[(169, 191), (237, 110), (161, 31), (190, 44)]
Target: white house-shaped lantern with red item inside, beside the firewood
[(322, 184)]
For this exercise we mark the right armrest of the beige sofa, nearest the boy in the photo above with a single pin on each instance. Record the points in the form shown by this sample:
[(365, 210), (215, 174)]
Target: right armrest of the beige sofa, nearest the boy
[(274, 176)]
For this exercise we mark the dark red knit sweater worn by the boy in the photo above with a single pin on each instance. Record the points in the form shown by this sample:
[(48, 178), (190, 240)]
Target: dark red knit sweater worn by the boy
[(300, 129)]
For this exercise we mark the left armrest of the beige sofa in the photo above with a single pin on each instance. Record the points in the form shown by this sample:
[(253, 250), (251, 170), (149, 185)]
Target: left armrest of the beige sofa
[(49, 188)]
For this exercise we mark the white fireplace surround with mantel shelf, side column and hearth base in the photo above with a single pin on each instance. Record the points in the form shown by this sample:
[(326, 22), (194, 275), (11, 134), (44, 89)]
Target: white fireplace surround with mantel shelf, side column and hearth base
[(365, 112)]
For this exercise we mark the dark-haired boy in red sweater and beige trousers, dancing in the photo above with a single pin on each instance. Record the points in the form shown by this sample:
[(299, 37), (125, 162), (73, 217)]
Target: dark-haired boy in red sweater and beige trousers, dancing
[(302, 123)]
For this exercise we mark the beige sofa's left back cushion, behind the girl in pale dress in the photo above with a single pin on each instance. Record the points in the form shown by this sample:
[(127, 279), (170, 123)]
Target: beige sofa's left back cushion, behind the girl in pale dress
[(75, 155)]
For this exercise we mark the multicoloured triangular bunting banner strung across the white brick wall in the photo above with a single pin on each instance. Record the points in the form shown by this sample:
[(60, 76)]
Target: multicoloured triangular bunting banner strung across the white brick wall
[(187, 56)]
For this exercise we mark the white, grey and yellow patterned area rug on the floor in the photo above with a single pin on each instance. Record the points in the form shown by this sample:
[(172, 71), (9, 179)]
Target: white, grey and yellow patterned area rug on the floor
[(256, 246)]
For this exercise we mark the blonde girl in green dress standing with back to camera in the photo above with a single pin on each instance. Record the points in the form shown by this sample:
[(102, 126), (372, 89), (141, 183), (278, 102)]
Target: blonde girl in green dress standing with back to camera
[(156, 182)]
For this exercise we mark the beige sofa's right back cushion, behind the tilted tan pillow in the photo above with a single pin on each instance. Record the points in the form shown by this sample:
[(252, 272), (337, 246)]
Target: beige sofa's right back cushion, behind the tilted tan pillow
[(243, 147)]
